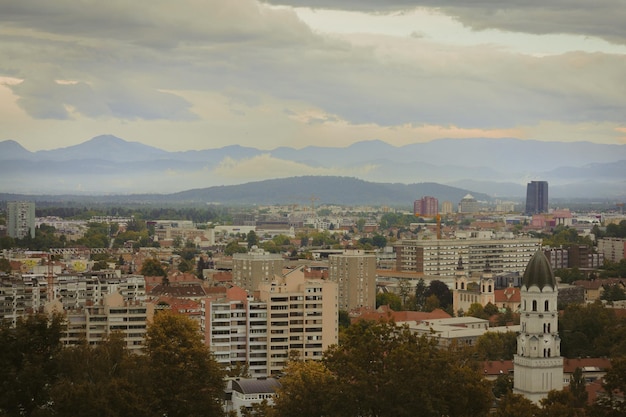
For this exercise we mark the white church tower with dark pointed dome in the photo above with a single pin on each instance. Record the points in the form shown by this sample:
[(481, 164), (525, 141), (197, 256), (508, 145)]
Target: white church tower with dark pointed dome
[(538, 365)]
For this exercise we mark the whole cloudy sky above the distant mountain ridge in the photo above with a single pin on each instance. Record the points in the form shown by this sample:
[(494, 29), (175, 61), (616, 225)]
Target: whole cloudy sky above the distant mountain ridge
[(203, 74)]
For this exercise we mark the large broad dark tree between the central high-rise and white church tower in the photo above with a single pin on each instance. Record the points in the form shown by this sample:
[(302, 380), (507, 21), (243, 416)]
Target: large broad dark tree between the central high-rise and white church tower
[(386, 370)]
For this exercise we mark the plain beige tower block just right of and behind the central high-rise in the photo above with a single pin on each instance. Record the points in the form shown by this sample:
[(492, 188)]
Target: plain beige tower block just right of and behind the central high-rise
[(354, 271)]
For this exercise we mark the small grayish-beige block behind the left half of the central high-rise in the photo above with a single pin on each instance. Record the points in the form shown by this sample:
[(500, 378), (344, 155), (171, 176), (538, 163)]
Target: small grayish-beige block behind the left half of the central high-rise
[(256, 267)]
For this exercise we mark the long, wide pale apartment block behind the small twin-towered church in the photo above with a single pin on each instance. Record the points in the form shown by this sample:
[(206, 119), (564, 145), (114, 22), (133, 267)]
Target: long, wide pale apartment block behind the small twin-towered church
[(439, 257)]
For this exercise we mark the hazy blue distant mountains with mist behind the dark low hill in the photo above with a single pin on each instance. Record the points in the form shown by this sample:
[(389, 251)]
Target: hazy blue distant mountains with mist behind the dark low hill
[(498, 168)]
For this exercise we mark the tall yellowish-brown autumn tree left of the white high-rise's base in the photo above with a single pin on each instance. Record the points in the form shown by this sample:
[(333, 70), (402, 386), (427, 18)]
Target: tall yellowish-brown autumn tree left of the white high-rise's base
[(184, 377)]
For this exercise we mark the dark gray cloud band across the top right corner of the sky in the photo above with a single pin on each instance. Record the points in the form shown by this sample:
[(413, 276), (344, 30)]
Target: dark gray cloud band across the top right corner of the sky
[(601, 18)]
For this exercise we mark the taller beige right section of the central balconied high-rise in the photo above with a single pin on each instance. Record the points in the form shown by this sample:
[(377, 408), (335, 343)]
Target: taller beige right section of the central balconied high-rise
[(303, 317)]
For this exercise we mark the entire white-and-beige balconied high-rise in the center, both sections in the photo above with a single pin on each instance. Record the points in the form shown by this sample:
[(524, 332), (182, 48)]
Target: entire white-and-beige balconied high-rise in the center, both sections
[(290, 313)]
